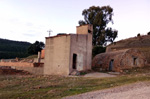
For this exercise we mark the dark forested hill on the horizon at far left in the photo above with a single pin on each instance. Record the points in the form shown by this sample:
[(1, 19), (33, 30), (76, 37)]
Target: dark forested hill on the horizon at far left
[(12, 49)]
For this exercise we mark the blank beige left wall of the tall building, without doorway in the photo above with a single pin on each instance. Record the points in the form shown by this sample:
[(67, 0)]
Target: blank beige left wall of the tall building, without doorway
[(57, 55)]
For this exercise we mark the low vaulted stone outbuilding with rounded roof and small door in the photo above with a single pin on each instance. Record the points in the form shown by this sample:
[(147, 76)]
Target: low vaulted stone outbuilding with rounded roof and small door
[(118, 60)]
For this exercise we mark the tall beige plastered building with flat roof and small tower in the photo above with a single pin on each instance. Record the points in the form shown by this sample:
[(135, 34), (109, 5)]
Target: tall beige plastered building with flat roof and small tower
[(66, 53)]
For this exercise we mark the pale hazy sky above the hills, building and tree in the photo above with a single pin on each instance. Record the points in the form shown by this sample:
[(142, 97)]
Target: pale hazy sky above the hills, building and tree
[(29, 20)]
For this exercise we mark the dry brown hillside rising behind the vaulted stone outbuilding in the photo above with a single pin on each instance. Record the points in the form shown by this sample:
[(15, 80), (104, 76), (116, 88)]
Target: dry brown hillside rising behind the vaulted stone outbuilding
[(142, 43)]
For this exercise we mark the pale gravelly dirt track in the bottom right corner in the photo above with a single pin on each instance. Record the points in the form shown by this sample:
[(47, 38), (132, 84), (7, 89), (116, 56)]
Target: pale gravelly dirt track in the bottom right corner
[(133, 91)]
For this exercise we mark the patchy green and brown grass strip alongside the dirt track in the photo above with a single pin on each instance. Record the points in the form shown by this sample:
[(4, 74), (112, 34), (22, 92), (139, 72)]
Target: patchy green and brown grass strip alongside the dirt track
[(55, 87)]
